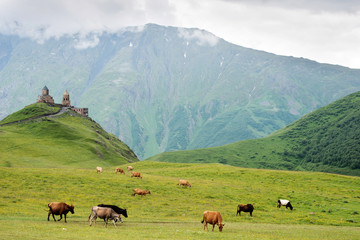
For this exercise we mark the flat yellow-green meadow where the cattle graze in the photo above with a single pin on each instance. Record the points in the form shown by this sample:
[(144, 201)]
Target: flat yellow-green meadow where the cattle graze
[(326, 206)]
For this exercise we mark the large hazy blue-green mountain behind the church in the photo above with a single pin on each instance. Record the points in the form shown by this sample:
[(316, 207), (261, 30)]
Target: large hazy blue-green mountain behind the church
[(166, 88)]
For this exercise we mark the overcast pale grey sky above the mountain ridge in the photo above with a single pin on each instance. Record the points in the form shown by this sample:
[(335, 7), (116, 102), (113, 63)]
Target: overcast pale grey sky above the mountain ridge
[(327, 31)]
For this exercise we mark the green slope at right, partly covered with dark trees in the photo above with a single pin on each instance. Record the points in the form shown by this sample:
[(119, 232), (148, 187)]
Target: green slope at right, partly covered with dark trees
[(327, 139)]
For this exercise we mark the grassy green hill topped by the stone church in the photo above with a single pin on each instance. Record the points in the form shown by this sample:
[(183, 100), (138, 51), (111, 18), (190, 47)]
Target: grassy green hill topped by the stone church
[(41, 135)]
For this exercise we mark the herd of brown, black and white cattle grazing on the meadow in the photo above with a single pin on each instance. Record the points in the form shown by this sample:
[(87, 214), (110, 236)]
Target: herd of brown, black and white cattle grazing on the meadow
[(112, 212)]
